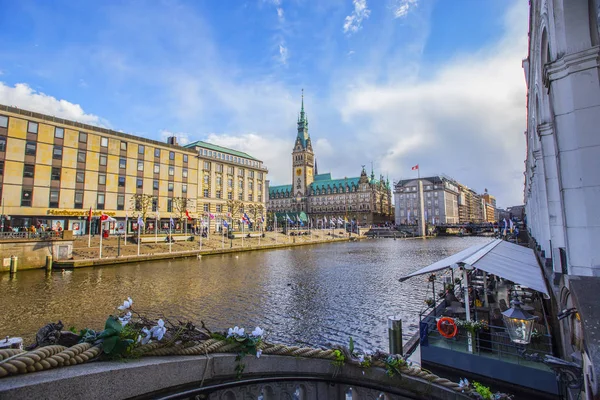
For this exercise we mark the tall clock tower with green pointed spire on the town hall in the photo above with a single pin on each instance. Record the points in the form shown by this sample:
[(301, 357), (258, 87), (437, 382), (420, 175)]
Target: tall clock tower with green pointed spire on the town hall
[(303, 159)]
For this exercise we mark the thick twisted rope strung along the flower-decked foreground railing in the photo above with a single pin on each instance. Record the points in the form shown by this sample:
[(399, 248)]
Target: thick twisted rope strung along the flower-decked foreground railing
[(14, 361)]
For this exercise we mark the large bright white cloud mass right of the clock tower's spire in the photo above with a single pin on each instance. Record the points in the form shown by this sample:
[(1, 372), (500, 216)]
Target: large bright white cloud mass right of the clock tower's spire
[(466, 120)]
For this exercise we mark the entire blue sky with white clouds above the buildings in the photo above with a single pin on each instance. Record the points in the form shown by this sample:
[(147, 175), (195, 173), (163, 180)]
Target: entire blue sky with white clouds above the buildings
[(395, 83)]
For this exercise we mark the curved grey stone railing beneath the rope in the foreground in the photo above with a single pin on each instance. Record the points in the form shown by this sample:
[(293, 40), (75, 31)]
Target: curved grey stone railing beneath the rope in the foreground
[(213, 377)]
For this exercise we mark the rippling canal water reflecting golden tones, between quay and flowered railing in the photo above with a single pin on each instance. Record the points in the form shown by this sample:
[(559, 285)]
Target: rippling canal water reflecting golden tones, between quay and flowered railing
[(312, 295)]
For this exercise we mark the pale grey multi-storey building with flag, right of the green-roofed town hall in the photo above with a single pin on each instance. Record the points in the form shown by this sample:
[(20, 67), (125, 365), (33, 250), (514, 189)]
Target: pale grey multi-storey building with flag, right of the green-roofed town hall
[(440, 201)]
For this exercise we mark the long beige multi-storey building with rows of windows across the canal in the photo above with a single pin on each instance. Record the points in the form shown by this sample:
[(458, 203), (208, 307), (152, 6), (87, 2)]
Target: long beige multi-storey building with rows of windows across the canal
[(52, 171)]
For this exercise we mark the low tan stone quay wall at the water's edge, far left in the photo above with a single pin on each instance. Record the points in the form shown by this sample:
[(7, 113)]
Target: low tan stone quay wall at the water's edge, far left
[(32, 253)]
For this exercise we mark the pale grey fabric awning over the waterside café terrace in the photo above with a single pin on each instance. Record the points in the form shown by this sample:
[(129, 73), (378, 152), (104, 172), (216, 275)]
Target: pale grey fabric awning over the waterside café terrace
[(501, 258)]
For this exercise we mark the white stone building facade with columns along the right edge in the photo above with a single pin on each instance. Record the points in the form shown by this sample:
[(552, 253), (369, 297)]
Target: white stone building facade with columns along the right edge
[(562, 183)]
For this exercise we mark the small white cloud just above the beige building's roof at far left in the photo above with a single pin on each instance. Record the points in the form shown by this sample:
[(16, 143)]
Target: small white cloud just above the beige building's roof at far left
[(23, 96)]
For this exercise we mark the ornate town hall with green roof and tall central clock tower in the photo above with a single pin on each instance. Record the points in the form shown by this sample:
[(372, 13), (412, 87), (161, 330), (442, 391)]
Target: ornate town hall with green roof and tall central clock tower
[(364, 198)]
